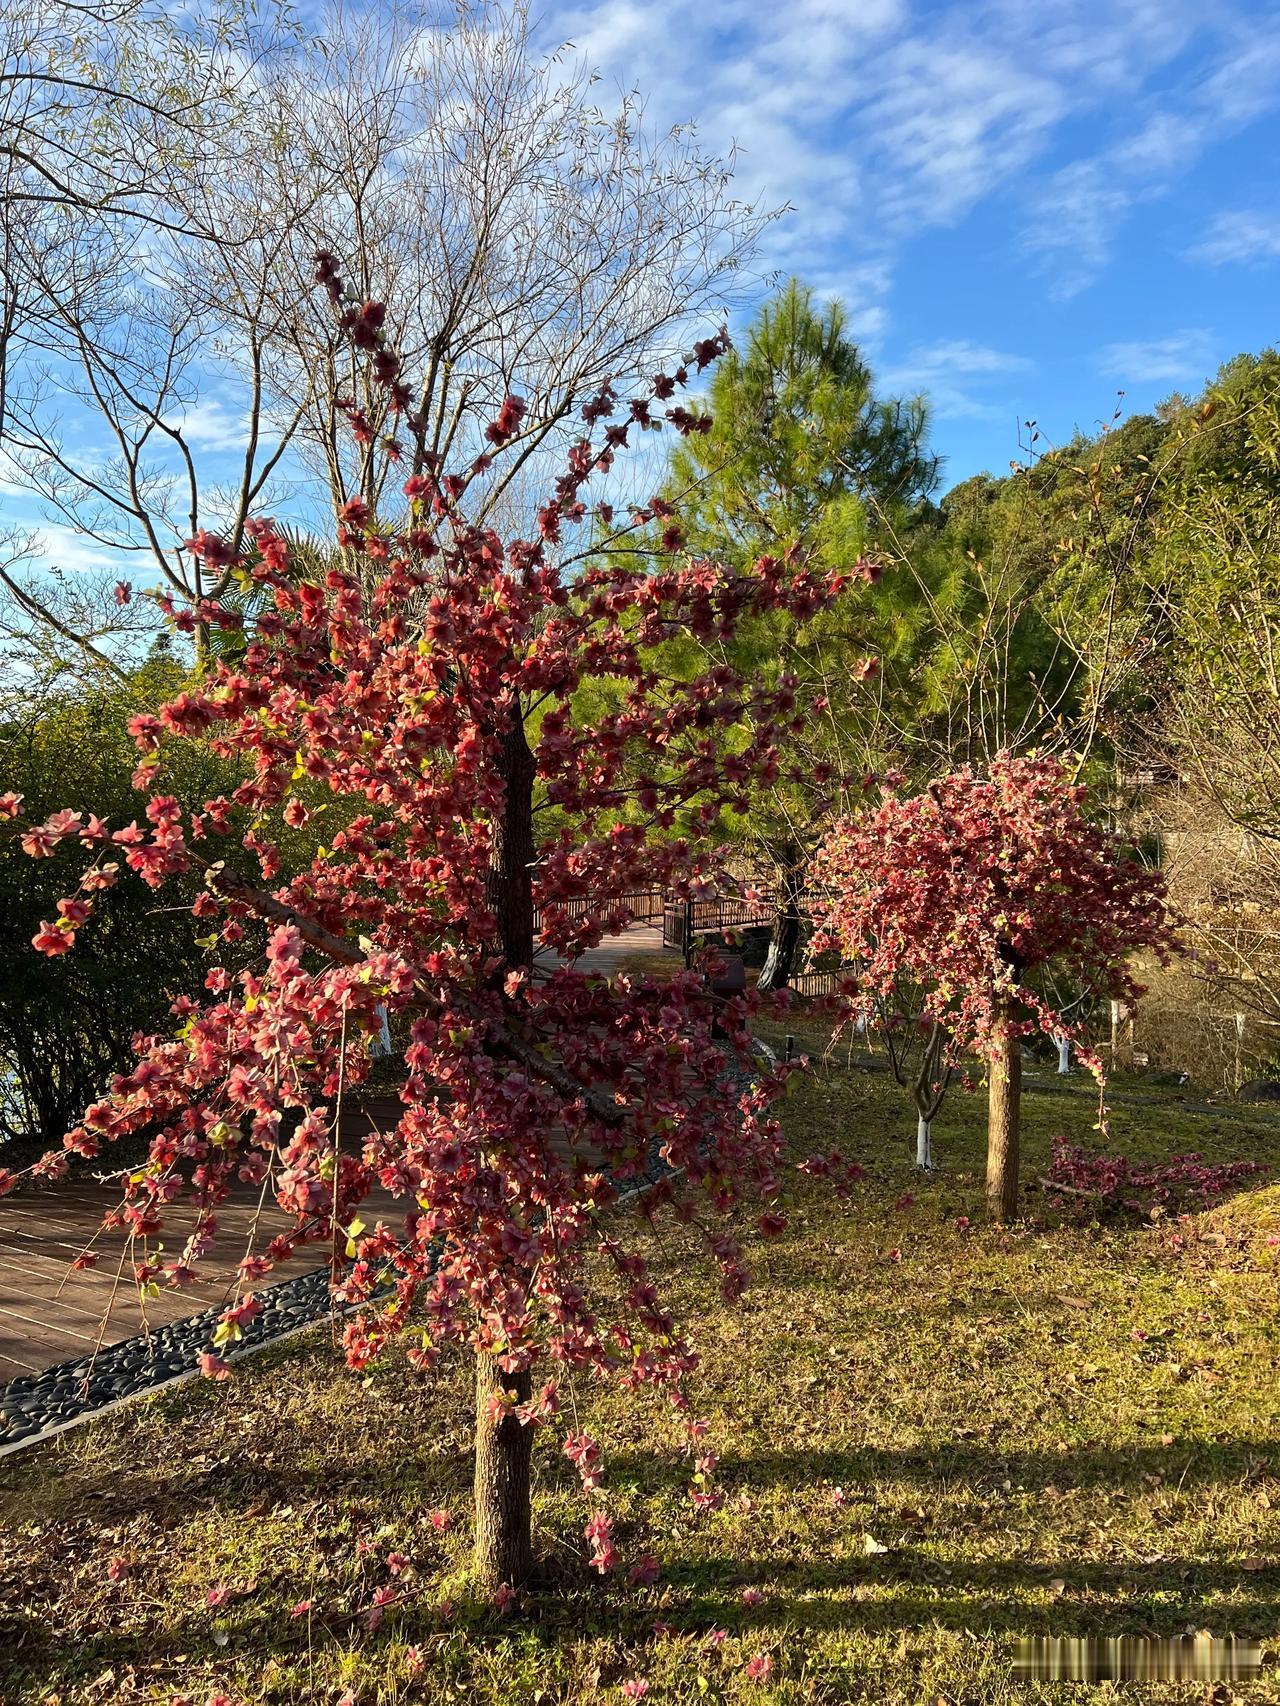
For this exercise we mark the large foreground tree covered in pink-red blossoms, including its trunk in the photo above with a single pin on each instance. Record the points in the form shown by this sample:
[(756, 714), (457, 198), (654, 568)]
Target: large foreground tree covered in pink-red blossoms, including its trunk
[(422, 688)]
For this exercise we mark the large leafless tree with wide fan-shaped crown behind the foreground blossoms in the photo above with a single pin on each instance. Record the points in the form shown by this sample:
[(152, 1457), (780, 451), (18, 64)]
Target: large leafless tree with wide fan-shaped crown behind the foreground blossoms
[(525, 238)]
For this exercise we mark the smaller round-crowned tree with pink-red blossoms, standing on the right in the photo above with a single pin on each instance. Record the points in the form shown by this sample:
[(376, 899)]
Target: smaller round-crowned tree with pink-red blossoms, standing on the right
[(974, 891)]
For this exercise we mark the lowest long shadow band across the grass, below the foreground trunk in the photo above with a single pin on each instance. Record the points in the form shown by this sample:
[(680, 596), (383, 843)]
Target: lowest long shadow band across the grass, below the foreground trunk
[(883, 1598)]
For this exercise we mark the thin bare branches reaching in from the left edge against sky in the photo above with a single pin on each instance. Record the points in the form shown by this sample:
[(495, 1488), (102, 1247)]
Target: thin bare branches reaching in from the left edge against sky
[(96, 96)]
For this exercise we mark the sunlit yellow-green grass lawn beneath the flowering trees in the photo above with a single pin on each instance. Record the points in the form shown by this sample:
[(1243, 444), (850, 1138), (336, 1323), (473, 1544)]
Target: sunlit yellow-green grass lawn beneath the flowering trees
[(931, 1441)]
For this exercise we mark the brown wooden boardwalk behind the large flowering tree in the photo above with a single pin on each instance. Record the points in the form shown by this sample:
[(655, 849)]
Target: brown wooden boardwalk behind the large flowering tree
[(54, 1314)]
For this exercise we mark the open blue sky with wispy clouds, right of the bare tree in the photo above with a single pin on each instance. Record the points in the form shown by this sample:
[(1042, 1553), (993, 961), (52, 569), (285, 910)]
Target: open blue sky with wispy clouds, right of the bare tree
[(1027, 207)]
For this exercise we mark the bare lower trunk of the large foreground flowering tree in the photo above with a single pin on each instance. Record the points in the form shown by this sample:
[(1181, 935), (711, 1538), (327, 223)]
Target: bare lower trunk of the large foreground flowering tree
[(504, 1521)]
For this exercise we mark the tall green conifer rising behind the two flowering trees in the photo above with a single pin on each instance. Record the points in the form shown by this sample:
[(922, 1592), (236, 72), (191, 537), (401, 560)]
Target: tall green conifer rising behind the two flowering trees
[(803, 461)]
